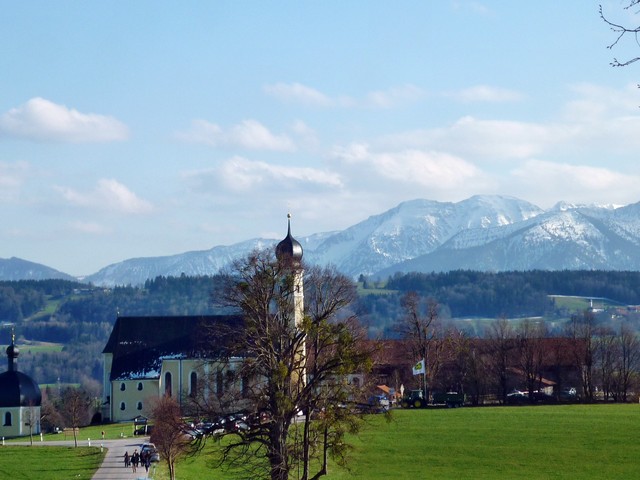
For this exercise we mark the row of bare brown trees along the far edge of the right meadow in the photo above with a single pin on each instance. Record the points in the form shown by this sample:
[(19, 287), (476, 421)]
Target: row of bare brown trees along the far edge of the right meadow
[(523, 360)]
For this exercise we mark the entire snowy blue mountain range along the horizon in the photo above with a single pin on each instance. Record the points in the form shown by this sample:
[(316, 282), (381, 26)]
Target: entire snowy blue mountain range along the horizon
[(484, 232)]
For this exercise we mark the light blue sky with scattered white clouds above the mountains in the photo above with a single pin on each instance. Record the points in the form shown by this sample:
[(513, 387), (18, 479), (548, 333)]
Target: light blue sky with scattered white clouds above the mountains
[(150, 128)]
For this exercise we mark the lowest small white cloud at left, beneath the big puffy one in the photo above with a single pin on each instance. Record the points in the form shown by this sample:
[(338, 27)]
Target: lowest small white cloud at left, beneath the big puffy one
[(108, 195)]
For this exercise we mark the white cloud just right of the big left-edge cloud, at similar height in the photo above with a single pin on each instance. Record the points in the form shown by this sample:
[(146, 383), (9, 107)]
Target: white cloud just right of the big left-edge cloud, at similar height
[(249, 134)]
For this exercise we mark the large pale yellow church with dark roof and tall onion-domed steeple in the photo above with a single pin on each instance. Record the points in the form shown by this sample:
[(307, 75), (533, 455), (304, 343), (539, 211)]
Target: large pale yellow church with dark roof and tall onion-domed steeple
[(150, 357)]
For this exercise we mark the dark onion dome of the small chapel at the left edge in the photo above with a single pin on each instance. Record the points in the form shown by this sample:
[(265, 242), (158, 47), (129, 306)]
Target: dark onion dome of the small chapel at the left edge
[(16, 388)]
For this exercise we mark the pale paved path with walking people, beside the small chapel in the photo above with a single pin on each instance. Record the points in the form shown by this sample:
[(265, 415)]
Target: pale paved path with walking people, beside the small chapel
[(112, 467)]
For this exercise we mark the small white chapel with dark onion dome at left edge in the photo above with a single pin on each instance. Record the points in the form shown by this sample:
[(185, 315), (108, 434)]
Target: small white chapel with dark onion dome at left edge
[(20, 399)]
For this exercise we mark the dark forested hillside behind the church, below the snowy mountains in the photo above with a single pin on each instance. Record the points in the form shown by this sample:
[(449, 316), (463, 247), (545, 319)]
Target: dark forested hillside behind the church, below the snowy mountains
[(63, 326)]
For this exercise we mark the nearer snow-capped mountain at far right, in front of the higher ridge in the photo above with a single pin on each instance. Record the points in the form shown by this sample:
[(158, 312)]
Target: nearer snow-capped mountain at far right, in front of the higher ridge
[(590, 238)]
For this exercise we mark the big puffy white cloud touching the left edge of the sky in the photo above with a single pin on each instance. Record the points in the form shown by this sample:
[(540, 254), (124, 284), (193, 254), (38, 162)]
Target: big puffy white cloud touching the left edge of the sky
[(42, 120)]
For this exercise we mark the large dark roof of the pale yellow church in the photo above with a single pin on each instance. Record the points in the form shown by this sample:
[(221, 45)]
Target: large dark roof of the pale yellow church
[(139, 344)]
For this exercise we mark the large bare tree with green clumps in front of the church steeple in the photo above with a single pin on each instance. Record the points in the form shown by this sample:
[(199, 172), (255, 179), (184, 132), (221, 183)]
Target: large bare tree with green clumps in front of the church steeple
[(297, 366)]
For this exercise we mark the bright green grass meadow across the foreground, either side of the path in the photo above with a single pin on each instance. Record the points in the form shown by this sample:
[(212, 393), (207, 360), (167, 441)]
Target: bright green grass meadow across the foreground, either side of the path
[(544, 442)]
